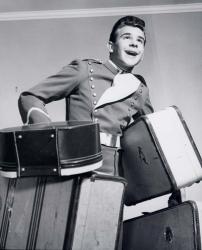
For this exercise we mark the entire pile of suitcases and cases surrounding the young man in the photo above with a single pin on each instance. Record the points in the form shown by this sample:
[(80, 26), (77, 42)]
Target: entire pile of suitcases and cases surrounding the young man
[(51, 199)]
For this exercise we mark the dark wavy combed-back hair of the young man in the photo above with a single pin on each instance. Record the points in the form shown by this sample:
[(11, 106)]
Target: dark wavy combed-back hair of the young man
[(126, 21)]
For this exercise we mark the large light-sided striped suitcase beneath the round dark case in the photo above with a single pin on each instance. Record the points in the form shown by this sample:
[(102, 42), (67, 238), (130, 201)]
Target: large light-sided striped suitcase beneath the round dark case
[(61, 213)]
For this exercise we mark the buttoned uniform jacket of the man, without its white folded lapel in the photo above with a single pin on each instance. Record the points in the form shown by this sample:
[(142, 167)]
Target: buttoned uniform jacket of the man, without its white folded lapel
[(82, 83)]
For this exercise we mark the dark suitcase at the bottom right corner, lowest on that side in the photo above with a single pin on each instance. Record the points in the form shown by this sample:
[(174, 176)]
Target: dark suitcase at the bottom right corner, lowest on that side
[(174, 228)]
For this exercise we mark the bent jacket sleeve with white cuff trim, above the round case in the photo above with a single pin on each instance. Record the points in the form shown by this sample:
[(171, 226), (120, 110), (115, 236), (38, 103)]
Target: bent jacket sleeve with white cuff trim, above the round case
[(32, 103)]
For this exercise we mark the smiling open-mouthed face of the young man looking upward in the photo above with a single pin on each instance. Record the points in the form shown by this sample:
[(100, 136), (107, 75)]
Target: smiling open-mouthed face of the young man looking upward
[(128, 49)]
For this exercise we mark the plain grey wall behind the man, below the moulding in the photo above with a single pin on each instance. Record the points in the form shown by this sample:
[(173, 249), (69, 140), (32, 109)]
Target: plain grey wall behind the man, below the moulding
[(34, 49)]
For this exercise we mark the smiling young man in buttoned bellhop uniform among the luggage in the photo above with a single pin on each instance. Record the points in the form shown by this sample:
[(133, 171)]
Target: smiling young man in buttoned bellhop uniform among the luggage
[(108, 93)]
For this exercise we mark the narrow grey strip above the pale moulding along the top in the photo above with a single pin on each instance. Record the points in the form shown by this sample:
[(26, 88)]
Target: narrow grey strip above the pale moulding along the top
[(35, 5)]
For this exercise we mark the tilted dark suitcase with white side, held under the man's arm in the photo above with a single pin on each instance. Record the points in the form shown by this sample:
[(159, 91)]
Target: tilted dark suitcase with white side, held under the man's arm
[(159, 156)]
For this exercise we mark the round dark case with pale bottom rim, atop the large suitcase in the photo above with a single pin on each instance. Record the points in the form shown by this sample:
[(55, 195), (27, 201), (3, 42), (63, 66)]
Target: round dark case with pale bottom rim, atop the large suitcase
[(60, 148)]
